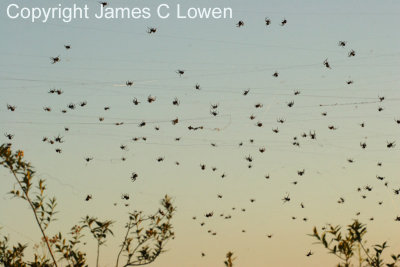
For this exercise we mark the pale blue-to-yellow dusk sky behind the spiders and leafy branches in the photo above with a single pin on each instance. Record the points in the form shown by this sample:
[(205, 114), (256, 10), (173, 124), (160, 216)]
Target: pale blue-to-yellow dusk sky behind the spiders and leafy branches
[(224, 60)]
